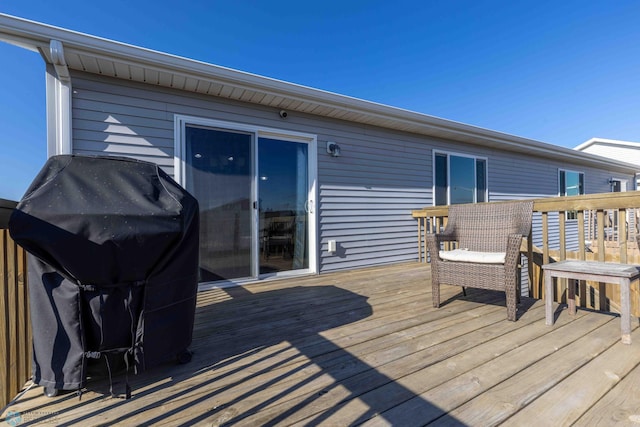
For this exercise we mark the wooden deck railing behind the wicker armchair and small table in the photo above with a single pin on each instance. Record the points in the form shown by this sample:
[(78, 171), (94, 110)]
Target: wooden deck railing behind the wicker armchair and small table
[(601, 227)]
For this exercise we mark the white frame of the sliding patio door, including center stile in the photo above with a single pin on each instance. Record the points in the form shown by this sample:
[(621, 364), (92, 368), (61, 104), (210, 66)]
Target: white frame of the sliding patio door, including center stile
[(181, 121)]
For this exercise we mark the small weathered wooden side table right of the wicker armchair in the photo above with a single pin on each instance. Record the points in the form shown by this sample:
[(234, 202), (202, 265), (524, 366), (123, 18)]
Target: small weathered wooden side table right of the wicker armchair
[(622, 274)]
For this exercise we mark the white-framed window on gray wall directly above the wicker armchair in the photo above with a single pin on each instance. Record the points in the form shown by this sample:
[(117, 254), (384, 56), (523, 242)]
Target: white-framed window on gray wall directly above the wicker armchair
[(459, 179)]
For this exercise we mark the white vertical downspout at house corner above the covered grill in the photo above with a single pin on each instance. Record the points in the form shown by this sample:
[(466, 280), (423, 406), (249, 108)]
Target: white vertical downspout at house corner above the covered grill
[(58, 102)]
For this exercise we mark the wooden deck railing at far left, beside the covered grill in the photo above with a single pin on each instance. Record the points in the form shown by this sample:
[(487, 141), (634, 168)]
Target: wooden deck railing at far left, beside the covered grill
[(15, 327)]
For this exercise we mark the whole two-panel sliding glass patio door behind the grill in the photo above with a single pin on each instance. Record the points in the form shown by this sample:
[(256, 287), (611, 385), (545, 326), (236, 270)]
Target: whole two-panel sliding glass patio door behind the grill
[(255, 190)]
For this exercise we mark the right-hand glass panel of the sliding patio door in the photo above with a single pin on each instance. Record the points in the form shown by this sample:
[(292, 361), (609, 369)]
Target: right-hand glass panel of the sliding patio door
[(283, 191)]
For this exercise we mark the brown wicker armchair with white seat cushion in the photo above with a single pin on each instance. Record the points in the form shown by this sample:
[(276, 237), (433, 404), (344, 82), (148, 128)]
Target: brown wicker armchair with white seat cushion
[(488, 237)]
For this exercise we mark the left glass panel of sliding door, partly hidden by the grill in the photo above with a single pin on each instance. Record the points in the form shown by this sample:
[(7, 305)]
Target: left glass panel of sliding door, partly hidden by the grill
[(219, 173)]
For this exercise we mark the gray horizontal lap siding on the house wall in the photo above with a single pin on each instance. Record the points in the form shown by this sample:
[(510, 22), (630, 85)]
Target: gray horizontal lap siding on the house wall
[(365, 197)]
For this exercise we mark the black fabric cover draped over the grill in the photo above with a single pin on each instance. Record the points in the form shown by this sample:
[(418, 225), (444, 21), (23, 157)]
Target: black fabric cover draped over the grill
[(115, 266)]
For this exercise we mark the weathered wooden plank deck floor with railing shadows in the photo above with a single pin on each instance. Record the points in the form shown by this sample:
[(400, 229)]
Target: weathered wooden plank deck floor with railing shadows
[(367, 347)]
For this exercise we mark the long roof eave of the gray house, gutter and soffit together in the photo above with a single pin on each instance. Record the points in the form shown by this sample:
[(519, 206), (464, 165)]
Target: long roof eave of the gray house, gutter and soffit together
[(78, 51)]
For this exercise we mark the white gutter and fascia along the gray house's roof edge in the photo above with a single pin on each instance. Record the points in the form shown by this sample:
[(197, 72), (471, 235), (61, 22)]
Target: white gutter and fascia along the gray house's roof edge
[(38, 35)]
